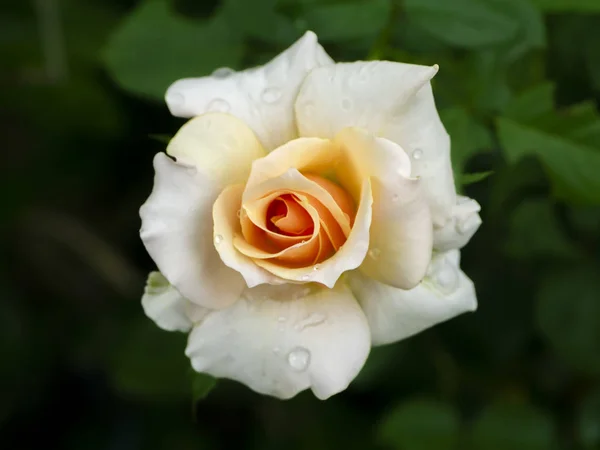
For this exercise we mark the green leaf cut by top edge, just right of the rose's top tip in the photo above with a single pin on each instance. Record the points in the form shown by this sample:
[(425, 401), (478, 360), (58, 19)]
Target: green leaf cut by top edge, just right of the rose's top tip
[(347, 21)]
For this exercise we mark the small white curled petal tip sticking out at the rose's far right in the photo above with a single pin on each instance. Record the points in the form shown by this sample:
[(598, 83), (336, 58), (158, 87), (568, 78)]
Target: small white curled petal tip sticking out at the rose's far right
[(460, 228)]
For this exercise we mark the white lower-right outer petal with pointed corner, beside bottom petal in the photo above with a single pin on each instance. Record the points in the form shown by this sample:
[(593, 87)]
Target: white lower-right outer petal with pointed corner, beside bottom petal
[(395, 314)]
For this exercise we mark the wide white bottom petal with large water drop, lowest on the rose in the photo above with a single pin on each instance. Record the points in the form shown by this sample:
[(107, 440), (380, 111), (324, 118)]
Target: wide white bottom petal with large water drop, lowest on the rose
[(280, 340)]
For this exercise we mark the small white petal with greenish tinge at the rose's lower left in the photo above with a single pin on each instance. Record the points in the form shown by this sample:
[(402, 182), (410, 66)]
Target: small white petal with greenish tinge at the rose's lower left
[(166, 307)]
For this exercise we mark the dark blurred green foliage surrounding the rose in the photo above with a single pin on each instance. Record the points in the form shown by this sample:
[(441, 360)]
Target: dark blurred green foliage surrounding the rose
[(83, 114)]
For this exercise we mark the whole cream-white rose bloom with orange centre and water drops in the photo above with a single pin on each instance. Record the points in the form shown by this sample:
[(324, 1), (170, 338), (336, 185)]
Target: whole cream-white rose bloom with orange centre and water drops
[(310, 213)]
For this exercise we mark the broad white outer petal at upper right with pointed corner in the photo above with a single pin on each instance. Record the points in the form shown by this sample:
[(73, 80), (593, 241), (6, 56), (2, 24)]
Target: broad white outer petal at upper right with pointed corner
[(391, 100)]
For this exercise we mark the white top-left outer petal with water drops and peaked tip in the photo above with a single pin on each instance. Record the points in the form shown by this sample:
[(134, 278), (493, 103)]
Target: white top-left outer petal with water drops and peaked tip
[(262, 97)]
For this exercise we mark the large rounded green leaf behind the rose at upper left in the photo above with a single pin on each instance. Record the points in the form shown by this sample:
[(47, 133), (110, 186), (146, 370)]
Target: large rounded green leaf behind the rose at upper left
[(154, 47)]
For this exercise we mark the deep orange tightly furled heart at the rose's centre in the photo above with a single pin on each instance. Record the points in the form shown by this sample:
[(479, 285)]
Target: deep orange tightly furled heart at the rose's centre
[(286, 216)]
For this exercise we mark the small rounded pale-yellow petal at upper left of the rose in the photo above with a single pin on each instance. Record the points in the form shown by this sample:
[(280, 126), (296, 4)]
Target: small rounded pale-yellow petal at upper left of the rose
[(221, 146)]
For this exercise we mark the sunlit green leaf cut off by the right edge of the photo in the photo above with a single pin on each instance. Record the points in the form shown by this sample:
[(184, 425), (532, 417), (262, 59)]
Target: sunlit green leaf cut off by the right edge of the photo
[(572, 167)]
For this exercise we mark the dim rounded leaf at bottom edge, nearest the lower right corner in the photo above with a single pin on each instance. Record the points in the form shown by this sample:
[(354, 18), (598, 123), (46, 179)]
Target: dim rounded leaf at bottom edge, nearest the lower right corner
[(508, 426)]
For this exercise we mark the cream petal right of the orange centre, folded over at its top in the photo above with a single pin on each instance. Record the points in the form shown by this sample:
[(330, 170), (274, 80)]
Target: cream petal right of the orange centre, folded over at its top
[(401, 231)]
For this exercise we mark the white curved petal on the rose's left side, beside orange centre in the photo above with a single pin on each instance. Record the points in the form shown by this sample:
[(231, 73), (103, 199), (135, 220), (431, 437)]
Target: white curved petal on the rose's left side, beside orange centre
[(177, 230)]
